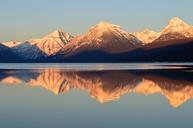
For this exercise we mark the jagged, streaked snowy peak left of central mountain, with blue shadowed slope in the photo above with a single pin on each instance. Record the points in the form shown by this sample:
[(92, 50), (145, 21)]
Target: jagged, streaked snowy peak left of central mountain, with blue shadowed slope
[(46, 46)]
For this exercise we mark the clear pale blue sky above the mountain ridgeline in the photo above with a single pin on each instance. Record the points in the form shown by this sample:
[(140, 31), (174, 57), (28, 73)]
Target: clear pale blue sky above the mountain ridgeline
[(25, 19)]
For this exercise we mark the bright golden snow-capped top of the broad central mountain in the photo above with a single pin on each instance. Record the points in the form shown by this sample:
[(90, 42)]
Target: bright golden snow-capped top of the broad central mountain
[(106, 31)]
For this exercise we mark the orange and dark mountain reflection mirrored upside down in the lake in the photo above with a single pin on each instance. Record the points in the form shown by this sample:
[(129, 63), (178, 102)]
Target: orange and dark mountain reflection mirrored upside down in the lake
[(107, 85)]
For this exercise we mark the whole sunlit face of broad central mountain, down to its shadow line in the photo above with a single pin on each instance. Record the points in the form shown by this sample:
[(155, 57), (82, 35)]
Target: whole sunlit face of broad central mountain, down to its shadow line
[(105, 37)]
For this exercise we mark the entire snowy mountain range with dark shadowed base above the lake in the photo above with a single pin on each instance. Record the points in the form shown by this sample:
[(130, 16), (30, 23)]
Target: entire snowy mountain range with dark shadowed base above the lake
[(106, 42)]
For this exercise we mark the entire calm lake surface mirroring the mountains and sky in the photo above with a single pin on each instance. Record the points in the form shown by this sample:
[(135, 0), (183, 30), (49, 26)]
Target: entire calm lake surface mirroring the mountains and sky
[(96, 95)]
